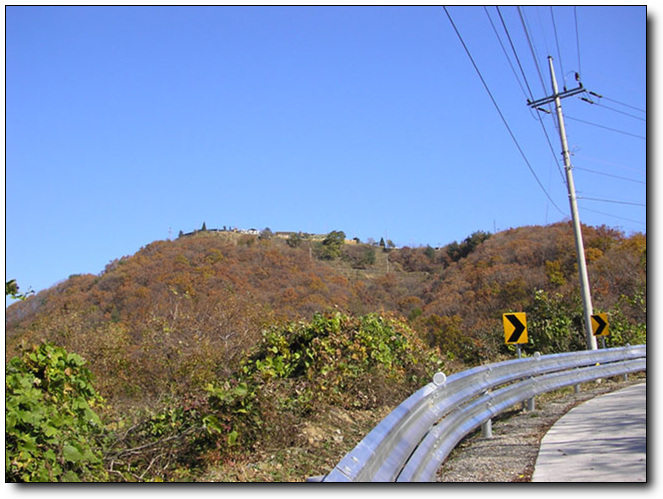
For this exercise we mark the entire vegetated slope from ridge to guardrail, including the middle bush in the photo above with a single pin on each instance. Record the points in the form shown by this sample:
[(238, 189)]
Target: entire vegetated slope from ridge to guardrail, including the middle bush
[(216, 350)]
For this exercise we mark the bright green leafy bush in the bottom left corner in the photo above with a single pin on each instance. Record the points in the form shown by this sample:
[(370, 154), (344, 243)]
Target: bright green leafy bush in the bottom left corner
[(52, 433)]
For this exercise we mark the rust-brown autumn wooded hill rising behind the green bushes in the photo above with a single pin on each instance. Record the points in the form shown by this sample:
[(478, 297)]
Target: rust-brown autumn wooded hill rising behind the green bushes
[(203, 299)]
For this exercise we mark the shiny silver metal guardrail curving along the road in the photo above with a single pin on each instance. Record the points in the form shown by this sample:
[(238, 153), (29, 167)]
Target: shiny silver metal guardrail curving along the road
[(411, 443)]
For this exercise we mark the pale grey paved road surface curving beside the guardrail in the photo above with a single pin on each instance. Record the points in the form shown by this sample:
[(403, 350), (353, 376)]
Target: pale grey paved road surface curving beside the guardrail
[(602, 440)]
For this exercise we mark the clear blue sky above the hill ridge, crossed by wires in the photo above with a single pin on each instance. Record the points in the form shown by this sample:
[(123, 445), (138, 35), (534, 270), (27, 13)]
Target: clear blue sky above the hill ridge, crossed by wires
[(125, 125)]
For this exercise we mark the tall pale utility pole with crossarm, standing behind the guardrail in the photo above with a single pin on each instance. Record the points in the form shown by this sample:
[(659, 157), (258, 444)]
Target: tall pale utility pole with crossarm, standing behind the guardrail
[(557, 97)]
